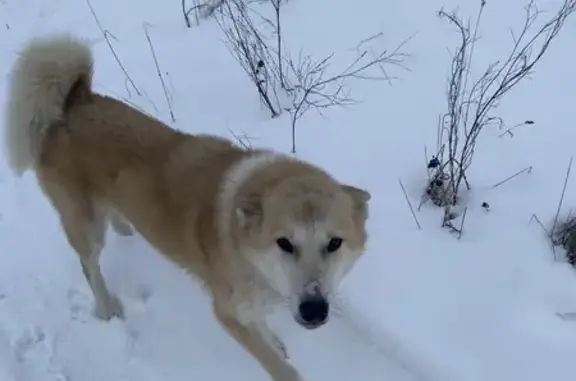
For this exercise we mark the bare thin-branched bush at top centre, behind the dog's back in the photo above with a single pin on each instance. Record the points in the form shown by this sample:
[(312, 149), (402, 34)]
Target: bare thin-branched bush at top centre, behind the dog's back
[(295, 85)]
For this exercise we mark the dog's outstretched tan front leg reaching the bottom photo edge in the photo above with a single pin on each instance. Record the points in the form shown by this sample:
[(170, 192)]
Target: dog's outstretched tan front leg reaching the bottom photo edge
[(254, 340)]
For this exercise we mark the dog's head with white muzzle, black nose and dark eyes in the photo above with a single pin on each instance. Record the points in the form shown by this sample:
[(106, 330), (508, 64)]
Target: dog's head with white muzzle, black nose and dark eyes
[(303, 234)]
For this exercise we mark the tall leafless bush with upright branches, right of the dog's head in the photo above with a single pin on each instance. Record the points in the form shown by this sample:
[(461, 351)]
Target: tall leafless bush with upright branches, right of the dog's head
[(471, 103)]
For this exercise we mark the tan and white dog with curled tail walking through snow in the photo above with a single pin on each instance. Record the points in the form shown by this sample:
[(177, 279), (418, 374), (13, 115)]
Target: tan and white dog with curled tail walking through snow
[(258, 228)]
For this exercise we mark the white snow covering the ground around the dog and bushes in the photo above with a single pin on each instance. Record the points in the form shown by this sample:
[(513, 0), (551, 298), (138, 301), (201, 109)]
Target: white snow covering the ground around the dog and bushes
[(420, 305)]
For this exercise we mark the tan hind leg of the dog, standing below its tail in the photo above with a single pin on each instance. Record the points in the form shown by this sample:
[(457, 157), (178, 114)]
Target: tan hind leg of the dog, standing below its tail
[(84, 223)]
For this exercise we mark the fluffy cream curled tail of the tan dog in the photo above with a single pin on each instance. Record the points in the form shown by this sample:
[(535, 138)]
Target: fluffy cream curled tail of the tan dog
[(50, 73)]
